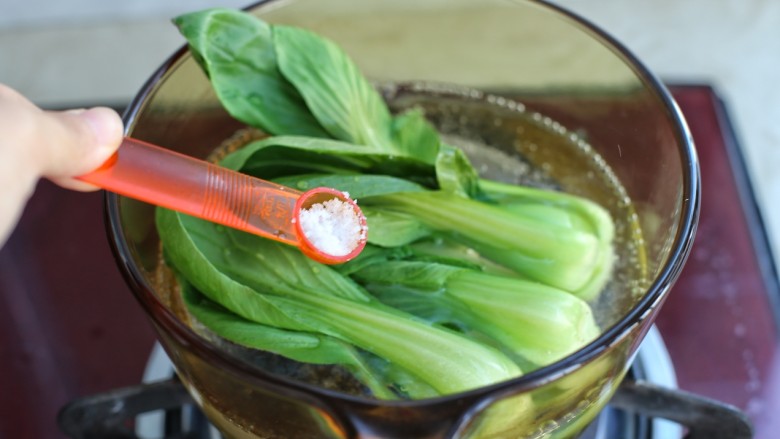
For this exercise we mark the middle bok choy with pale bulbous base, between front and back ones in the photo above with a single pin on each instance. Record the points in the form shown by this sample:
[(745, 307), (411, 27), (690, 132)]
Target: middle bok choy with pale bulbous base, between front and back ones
[(537, 322)]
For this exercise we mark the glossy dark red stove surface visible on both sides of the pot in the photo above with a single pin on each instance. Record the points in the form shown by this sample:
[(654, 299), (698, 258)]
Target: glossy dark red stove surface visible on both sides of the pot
[(72, 328)]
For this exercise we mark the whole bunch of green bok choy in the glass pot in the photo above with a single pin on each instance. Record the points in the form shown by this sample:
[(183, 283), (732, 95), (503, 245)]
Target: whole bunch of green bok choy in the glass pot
[(465, 282)]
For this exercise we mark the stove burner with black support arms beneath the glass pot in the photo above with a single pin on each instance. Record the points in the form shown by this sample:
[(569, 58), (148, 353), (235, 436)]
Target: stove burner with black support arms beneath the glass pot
[(162, 407)]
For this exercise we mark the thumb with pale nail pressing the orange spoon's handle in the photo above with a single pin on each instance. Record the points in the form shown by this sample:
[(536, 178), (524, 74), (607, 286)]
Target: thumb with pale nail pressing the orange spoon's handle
[(75, 142)]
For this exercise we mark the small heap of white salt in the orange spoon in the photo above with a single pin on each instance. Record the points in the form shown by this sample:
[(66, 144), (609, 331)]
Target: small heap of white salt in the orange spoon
[(332, 226)]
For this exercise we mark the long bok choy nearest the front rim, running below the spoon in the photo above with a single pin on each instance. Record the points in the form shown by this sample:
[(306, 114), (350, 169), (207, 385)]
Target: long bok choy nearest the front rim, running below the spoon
[(295, 293)]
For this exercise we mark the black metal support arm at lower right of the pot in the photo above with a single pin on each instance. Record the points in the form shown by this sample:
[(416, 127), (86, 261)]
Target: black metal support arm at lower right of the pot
[(704, 418)]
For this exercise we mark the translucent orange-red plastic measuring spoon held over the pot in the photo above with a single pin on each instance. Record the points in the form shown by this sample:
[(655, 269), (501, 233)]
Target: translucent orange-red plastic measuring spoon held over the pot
[(169, 179)]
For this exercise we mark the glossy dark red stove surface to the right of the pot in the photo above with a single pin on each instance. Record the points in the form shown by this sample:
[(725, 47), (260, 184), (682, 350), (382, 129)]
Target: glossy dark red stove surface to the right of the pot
[(720, 322)]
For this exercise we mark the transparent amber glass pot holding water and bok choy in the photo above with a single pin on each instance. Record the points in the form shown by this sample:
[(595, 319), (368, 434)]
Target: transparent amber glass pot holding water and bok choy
[(537, 81)]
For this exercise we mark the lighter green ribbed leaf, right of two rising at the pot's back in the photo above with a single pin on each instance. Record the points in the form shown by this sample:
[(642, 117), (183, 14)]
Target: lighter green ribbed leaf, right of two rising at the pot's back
[(338, 95)]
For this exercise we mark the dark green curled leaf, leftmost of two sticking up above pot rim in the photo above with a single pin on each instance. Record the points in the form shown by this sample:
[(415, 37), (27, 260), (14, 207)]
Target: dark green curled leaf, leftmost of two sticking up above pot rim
[(236, 51)]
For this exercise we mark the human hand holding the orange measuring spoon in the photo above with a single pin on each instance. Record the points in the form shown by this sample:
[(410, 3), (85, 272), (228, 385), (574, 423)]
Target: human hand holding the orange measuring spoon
[(55, 145)]
